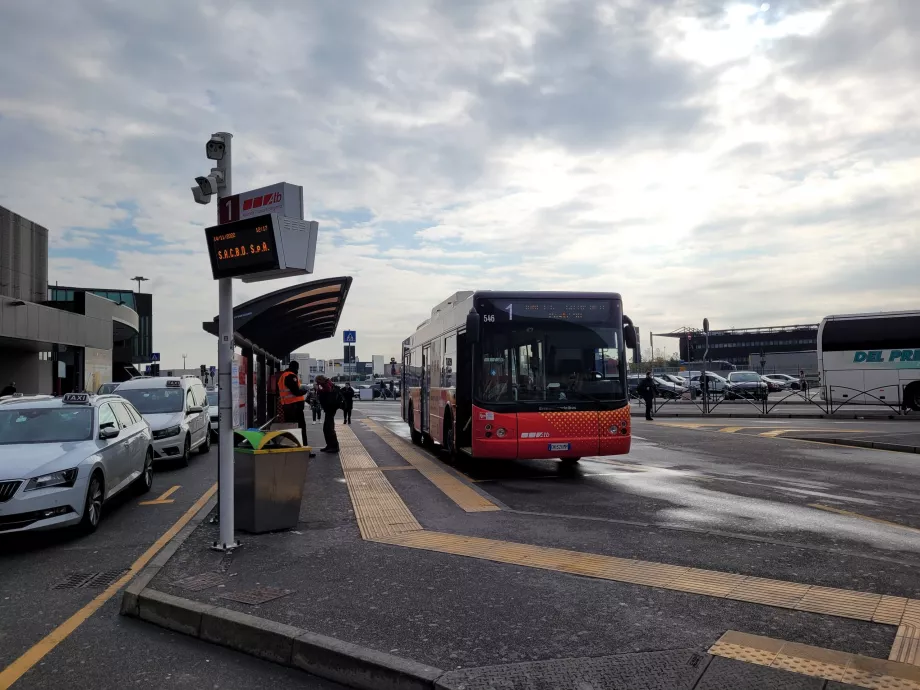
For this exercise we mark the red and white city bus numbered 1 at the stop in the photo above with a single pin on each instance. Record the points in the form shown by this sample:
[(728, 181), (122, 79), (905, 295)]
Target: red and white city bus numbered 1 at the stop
[(520, 375)]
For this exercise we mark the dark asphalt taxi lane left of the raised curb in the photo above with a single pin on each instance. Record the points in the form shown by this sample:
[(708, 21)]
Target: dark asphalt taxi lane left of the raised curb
[(107, 650)]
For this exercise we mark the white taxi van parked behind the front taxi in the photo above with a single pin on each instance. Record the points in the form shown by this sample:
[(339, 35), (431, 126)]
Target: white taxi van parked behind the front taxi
[(178, 413)]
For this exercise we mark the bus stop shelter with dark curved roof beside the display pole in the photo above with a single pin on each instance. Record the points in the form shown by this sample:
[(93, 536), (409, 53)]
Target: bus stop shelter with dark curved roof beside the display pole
[(272, 326)]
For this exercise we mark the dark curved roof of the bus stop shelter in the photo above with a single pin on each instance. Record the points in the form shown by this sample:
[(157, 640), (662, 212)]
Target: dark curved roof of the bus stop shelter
[(284, 320)]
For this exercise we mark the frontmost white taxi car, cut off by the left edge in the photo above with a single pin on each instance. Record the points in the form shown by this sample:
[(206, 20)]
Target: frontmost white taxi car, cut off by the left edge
[(62, 458)]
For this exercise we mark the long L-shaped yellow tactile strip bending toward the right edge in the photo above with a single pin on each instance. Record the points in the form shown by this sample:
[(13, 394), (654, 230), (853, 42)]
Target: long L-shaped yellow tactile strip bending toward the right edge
[(384, 518)]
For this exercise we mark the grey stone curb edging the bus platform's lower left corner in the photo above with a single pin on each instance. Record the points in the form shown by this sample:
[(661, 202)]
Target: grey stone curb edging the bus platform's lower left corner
[(342, 662)]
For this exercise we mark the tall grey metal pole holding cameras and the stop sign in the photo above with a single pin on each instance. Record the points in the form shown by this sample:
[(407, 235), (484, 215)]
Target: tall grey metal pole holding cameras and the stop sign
[(225, 344)]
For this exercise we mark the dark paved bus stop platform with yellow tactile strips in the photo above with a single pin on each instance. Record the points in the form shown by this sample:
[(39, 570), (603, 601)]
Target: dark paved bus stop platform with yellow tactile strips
[(400, 574)]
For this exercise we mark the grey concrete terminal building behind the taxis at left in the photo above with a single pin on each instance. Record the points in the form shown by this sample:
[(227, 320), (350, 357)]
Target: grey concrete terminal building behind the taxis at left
[(54, 343)]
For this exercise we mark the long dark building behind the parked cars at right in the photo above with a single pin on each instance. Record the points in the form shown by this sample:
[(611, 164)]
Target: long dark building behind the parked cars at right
[(742, 346)]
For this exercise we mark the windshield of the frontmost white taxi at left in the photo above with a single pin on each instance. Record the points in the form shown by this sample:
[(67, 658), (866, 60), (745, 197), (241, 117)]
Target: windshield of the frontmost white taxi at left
[(46, 425)]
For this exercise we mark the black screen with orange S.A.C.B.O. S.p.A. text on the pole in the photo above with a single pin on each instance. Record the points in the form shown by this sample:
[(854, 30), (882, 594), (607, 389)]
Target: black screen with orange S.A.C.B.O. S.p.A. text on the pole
[(242, 247)]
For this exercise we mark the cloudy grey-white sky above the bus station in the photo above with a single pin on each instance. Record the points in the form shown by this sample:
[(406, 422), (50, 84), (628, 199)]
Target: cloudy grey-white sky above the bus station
[(750, 162)]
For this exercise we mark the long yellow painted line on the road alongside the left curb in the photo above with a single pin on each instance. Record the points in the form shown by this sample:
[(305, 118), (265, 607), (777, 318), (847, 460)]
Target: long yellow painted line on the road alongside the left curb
[(18, 668)]
